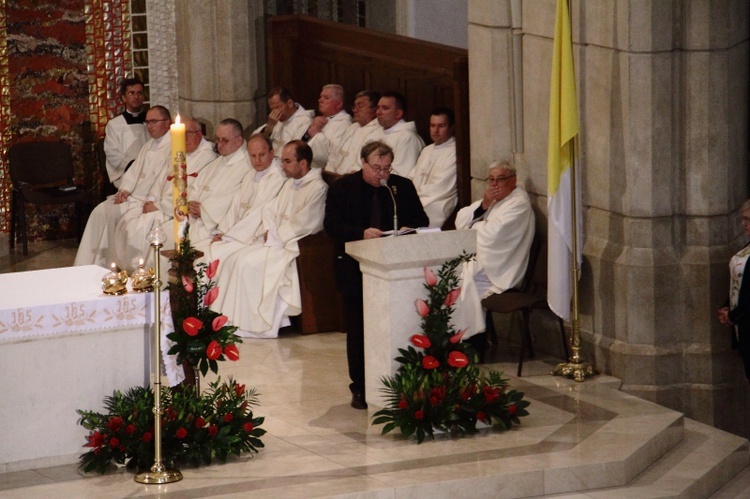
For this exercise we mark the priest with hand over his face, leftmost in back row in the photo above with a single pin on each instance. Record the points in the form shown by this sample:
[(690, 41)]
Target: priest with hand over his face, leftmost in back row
[(287, 120)]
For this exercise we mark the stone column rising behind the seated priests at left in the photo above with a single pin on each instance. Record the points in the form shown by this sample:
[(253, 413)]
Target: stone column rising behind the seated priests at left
[(220, 60)]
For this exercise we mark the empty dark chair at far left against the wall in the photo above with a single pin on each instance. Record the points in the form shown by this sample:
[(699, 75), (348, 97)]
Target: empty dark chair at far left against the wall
[(41, 173)]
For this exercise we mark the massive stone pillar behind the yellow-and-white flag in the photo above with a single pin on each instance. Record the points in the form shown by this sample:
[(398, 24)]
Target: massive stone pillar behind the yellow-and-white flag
[(663, 101)]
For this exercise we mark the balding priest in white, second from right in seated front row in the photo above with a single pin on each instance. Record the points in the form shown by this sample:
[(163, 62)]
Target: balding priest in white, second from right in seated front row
[(262, 184)]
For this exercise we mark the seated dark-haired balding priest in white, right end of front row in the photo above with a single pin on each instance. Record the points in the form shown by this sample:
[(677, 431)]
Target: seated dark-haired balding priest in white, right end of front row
[(259, 283)]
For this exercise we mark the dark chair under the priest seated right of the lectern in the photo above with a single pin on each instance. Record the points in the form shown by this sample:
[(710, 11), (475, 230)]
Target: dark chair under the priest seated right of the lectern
[(532, 296)]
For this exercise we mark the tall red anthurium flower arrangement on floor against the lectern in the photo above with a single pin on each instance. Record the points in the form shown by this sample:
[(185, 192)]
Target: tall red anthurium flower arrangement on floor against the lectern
[(438, 385)]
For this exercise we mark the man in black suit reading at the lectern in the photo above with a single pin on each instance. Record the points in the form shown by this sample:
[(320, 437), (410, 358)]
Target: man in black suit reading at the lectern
[(359, 207)]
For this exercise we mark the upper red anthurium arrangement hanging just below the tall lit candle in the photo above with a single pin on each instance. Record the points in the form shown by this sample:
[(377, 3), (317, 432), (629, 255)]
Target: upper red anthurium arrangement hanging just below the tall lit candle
[(201, 336)]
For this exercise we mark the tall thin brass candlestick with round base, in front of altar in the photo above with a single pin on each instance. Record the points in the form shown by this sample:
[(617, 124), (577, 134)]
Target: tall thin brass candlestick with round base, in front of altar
[(158, 472)]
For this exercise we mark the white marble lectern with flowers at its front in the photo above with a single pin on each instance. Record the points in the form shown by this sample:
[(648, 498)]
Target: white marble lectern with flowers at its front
[(392, 280)]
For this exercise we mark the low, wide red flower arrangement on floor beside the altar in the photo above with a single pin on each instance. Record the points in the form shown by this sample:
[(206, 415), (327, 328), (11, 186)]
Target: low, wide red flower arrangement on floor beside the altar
[(195, 429)]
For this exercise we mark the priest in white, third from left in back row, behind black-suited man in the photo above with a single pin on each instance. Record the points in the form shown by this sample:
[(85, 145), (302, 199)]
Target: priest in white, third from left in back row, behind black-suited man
[(344, 158)]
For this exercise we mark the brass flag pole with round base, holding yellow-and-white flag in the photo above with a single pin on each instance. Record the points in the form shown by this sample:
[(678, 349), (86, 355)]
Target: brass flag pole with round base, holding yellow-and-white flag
[(575, 367)]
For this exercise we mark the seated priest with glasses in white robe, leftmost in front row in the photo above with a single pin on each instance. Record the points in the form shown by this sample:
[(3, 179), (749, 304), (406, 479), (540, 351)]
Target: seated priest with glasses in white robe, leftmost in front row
[(153, 160)]
